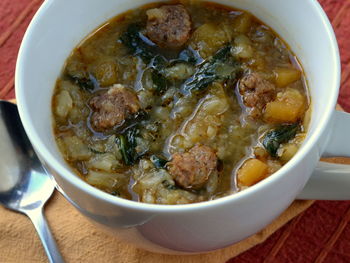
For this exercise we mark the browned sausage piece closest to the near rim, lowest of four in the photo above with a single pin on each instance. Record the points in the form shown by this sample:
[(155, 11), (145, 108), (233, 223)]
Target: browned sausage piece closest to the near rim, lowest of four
[(192, 169)]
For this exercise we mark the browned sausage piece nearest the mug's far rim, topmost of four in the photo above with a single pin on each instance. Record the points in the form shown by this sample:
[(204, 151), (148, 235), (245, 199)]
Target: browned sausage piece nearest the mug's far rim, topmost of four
[(169, 25)]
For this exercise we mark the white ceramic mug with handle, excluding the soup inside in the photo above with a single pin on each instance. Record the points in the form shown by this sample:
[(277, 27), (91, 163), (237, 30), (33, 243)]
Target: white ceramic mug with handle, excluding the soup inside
[(60, 25)]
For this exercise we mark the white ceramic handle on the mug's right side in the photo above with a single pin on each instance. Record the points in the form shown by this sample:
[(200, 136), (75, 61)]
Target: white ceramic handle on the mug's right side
[(331, 181)]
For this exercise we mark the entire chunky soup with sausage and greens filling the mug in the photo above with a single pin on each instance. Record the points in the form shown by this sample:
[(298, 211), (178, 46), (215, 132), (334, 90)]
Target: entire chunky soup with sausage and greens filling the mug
[(180, 102)]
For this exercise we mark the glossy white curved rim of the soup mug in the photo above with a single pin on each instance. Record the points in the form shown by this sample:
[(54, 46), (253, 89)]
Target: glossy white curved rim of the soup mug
[(83, 186)]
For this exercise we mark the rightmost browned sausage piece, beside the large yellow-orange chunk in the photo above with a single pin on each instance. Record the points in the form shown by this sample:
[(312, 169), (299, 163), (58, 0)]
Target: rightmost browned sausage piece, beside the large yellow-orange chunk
[(257, 92)]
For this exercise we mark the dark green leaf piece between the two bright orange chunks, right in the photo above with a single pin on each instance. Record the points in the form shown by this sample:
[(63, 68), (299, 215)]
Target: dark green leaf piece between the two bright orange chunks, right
[(276, 137)]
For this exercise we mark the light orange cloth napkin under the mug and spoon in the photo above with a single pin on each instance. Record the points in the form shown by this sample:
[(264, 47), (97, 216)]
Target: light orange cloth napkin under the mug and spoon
[(81, 241)]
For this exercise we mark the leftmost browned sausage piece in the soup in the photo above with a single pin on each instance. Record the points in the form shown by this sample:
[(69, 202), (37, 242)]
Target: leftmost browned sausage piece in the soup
[(113, 107)]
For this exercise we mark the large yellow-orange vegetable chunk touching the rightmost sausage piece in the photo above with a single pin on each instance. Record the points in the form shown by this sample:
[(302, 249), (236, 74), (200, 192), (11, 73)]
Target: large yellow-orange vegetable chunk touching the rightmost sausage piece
[(288, 107)]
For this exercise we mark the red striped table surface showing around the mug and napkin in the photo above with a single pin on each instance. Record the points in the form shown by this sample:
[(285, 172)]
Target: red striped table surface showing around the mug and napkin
[(320, 234)]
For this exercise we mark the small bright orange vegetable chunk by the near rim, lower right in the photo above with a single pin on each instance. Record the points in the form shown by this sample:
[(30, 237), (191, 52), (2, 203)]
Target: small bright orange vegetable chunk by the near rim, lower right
[(251, 172)]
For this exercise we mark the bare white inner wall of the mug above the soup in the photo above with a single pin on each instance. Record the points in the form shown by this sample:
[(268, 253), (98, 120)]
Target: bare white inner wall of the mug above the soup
[(52, 36)]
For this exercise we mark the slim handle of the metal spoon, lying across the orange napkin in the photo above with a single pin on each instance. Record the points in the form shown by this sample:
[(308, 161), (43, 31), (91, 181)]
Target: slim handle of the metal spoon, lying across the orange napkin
[(38, 219)]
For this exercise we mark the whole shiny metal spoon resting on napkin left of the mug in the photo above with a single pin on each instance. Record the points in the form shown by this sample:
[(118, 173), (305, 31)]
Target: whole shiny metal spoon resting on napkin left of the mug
[(24, 184)]
